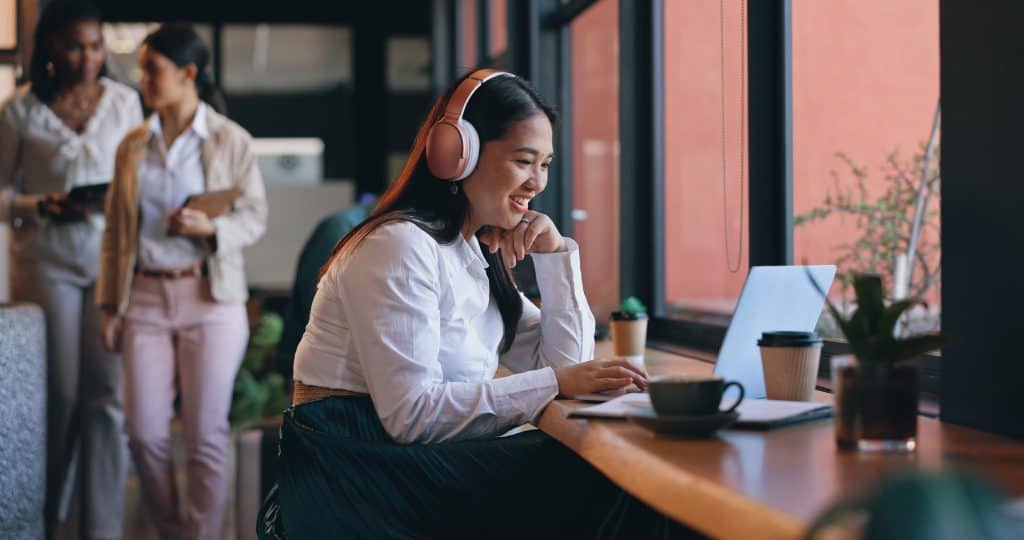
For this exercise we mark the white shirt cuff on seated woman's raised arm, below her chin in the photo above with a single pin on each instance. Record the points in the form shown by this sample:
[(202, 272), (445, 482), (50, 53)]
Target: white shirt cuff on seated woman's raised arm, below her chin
[(560, 278)]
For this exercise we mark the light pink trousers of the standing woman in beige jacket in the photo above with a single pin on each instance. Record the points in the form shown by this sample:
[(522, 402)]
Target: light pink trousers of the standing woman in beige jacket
[(175, 327)]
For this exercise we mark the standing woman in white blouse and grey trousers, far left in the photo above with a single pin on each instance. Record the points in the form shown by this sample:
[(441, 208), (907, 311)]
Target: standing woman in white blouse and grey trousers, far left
[(59, 133)]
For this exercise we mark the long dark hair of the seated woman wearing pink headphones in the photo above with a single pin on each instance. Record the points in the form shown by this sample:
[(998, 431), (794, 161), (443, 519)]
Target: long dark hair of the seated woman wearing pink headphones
[(420, 197)]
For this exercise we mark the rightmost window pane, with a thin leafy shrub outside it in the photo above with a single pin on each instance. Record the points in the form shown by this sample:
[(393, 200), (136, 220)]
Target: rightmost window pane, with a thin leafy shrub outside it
[(866, 92)]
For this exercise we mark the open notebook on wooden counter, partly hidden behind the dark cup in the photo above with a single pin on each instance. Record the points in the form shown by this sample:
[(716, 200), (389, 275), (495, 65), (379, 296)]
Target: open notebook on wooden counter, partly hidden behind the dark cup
[(754, 414)]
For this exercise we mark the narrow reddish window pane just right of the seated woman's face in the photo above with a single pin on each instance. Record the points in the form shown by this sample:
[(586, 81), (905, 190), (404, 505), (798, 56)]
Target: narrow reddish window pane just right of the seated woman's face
[(595, 152)]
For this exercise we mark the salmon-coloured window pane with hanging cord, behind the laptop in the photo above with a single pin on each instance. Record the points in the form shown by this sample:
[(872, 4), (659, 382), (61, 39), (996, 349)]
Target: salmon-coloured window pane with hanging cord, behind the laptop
[(706, 226)]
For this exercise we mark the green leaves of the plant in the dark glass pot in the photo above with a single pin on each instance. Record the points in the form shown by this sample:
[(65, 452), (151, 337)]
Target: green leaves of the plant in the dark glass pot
[(872, 329)]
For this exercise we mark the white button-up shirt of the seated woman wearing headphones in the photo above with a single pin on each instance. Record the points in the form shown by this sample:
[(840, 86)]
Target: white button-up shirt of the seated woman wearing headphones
[(413, 323)]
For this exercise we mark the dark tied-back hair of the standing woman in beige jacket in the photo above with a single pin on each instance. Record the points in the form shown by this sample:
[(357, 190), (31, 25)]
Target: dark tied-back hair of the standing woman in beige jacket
[(181, 44)]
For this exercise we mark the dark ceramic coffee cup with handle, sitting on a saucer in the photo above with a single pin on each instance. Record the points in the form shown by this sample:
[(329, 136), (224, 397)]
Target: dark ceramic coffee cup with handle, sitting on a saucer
[(691, 395)]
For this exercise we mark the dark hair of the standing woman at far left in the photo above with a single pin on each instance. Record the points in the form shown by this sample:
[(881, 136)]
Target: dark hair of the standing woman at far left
[(56, 19)]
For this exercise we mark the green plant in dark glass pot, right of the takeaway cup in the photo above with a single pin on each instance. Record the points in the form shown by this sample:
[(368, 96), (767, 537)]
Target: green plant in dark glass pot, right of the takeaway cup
[(876, 389)]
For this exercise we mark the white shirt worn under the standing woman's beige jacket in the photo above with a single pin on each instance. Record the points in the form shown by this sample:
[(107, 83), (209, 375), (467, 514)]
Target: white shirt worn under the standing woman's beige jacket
[(166, 179)]
